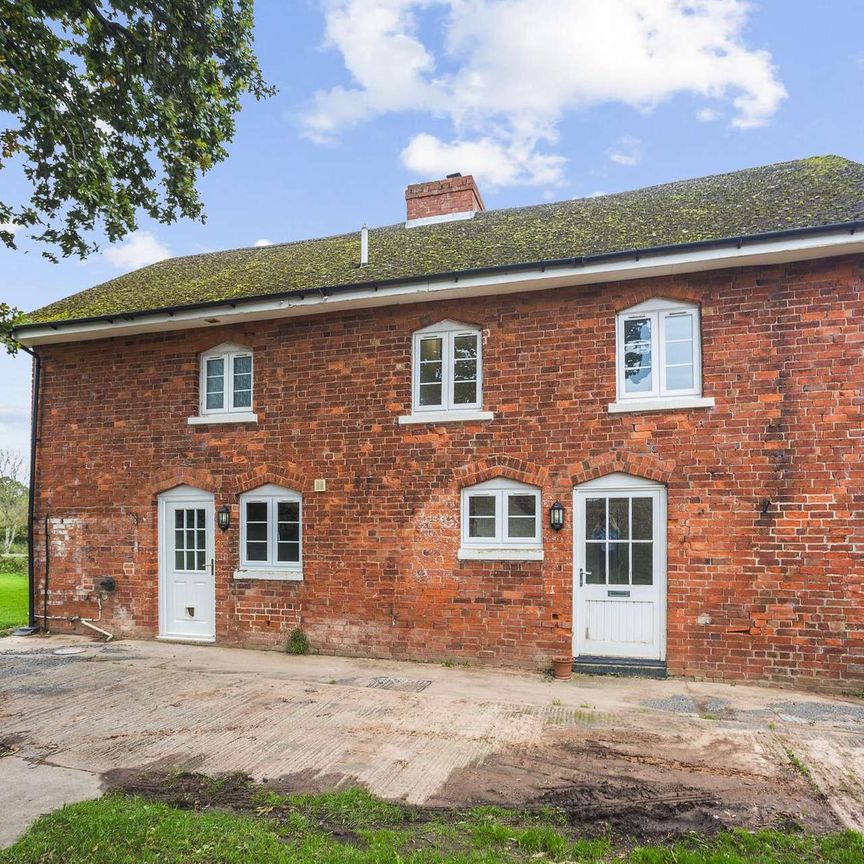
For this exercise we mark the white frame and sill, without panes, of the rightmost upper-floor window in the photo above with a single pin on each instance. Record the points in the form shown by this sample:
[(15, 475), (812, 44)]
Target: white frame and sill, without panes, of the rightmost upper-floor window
[(660, 397)]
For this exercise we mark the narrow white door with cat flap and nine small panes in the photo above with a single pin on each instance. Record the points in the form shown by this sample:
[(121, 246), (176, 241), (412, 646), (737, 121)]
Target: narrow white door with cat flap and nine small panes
[(187, 592)]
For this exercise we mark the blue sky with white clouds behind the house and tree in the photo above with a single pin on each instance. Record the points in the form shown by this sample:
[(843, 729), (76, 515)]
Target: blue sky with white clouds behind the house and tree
[(540, 99)]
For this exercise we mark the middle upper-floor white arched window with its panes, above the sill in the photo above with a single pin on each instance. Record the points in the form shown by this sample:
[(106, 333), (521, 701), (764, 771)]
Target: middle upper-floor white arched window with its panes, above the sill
[(447, 367)]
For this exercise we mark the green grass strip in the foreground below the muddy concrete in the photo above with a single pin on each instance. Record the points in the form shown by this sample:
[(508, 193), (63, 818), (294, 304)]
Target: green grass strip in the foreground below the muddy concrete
[(352, 827)]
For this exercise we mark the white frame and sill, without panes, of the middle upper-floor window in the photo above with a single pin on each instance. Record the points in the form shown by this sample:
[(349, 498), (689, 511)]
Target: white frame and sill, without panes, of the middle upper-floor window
[(447, 331)]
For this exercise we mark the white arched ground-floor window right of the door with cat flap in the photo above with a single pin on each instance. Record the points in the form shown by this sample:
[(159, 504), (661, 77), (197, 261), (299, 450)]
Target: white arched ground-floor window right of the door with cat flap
[(271, 533)]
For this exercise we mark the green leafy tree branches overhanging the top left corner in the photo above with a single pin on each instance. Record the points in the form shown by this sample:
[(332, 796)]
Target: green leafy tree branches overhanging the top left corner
[(117, 107)]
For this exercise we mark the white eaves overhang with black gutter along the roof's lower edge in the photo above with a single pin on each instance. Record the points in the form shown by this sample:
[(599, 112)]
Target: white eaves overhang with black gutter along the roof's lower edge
[(756, 250)]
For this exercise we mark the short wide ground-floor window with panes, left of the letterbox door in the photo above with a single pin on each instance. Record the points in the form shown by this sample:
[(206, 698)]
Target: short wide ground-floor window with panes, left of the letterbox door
[(501, 520)]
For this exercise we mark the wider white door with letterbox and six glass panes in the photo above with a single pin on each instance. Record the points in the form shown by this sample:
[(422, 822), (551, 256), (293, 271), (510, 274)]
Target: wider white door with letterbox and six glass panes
[(620, 568)]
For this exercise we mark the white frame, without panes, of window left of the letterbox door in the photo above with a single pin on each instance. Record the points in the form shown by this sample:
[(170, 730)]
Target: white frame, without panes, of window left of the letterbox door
[(501, 547)]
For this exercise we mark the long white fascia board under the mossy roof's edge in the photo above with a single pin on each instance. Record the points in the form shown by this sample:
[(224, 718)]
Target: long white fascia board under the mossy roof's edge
[(315, 302)]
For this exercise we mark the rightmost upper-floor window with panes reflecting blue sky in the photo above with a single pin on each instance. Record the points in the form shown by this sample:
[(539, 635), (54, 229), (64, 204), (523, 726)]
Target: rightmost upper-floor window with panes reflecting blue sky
[(659, 356)]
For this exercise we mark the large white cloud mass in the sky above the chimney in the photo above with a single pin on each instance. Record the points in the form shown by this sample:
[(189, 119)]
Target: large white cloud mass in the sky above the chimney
[(509, 70)]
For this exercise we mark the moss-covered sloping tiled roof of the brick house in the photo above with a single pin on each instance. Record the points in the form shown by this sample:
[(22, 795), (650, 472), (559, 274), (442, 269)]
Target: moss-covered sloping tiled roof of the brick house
[(804, 194)]
